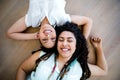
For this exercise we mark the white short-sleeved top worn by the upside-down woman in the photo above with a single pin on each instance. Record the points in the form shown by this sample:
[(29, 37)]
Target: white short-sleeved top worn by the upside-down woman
[(54, 10)]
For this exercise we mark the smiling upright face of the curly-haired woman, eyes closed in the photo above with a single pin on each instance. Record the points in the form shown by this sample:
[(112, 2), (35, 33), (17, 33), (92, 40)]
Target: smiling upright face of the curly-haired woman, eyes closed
[(66, 44)]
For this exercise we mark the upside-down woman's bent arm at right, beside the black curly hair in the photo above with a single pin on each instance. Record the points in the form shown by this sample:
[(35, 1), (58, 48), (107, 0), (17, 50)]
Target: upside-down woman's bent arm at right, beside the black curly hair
[(85, 21)]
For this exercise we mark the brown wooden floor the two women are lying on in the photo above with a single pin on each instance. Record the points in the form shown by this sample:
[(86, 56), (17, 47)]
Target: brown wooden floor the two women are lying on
[(106, 18)]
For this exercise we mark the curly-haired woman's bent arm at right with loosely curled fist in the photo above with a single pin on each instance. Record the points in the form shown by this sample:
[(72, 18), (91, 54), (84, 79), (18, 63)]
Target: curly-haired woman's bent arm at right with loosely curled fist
[(100, 68)]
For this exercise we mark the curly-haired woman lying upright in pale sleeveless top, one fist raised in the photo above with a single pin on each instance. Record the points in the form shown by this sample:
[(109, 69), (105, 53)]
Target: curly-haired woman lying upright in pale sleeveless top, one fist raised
[(68, 62)]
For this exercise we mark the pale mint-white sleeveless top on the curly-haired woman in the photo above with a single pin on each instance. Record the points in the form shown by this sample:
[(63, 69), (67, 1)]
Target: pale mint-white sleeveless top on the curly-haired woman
[(44, 69)]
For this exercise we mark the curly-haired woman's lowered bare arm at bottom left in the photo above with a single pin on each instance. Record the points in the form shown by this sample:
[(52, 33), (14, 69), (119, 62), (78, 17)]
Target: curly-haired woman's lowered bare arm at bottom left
[(27, 66)]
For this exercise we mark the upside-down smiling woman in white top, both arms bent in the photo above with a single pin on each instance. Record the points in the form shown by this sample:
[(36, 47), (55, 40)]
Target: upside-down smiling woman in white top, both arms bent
[(45, 14)]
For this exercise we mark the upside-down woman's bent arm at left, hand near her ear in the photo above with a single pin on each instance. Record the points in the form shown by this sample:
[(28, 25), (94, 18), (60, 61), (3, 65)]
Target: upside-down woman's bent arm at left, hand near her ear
[(15, 31)]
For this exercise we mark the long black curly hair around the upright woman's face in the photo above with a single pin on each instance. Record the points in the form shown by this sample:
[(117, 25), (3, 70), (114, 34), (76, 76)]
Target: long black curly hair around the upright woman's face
[(81, 52)]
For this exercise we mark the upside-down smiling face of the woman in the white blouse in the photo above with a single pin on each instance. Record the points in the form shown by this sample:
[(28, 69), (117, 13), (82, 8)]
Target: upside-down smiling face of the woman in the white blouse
[(47, 36)]
